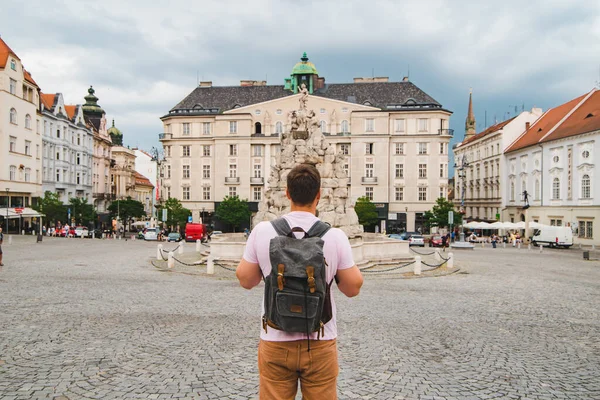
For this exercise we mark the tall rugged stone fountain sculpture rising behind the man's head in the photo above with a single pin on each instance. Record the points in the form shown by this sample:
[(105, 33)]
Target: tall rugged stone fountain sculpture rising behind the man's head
[(305, 144)]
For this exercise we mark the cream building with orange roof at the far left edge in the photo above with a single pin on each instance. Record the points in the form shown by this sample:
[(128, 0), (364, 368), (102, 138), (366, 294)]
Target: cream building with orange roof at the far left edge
[(20, 138)]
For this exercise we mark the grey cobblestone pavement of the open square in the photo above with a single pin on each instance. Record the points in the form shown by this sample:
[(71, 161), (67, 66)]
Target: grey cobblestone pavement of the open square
[(93, 319)]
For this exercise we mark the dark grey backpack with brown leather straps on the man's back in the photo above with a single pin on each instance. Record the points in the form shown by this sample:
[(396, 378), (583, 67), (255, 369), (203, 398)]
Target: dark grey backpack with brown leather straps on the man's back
[(296, 291)]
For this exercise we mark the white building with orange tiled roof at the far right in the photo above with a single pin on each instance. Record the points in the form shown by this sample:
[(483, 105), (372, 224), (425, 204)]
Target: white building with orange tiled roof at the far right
[(554, 162)]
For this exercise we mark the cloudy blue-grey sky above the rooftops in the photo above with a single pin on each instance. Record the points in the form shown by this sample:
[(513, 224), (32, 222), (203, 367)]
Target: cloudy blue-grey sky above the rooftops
[(143, 58)]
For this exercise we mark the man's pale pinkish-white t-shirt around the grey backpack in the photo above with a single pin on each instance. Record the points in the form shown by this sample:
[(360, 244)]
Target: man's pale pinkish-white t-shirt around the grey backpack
[(337, 252)]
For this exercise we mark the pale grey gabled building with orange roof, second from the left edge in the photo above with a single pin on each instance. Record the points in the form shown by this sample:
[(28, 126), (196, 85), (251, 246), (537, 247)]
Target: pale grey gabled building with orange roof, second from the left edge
[(67, 149)]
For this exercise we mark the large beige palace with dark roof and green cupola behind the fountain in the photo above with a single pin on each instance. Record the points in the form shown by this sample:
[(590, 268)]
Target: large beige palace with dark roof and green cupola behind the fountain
[(222, 141)]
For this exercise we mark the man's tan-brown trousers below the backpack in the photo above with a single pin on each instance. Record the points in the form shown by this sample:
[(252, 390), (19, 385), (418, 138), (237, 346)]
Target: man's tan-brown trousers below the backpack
[(281, 364)]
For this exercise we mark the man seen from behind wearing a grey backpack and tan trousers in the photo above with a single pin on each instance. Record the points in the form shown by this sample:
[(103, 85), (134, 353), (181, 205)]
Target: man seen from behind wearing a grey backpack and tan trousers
[(299, 257)]
